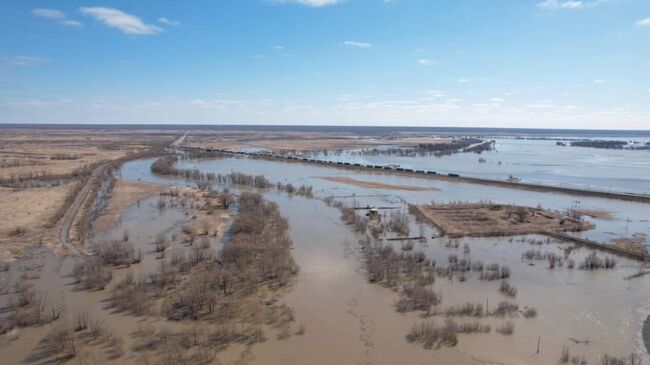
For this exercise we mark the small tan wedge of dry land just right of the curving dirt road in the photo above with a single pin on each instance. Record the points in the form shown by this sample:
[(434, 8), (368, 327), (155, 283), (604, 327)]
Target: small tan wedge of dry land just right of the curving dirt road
[(125, 193)]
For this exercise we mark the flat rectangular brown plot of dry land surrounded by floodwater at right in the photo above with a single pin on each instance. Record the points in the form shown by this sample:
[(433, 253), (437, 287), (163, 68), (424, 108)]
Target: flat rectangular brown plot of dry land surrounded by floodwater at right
[(484, 220)]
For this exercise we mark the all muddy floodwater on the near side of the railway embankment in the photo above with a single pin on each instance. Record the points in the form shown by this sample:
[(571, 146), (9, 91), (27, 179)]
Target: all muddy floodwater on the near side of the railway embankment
[(586, 312)]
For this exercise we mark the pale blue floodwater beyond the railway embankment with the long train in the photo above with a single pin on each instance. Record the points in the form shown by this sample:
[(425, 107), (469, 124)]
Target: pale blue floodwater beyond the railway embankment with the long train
[(533, 161)]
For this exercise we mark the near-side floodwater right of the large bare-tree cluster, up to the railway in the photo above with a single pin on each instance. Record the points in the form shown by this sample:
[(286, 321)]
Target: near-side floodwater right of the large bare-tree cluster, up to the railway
[(591, 312)]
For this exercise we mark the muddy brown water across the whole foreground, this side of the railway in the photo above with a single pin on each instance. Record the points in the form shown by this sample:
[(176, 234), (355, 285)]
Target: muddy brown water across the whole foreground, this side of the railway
[(348, 320)]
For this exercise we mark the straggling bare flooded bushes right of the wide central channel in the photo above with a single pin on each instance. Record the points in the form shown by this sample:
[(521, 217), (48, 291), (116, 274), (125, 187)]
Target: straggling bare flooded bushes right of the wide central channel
[(412, 274)]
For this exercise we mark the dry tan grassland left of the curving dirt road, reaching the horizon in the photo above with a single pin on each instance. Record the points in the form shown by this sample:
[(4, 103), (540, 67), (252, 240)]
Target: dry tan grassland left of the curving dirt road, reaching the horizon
[(43, 170)]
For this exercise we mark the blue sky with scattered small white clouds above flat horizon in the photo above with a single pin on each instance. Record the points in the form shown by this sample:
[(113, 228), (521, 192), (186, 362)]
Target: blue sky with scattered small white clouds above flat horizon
[(489, 63)]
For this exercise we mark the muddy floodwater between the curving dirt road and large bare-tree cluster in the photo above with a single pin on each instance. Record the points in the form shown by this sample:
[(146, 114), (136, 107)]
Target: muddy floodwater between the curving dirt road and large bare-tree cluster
[(55, 281)]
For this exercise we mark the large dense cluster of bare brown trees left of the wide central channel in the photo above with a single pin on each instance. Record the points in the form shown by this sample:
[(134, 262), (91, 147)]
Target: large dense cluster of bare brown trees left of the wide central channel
[(194, 282)]
